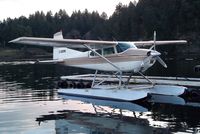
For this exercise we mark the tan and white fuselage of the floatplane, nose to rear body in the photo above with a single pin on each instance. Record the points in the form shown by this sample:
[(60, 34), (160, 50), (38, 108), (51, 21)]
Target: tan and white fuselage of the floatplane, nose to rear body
[(131, 59)]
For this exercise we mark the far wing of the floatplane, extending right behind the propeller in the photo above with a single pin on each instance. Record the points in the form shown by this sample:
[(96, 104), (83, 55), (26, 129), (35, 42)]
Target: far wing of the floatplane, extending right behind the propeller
[(150, 43)]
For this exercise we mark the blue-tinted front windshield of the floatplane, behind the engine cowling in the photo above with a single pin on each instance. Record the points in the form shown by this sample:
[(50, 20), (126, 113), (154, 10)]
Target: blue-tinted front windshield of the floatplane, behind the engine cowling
[(122, 46)]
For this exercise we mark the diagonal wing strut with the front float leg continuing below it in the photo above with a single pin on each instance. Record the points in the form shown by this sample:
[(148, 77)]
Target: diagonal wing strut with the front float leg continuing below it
[(108, 61)]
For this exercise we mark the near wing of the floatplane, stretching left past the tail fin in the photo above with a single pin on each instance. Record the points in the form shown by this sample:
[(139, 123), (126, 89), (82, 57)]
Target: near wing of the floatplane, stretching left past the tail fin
[(70, 43)]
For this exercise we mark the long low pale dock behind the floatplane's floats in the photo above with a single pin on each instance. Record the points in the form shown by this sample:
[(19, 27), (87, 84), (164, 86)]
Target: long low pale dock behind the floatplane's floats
[(180, 81)]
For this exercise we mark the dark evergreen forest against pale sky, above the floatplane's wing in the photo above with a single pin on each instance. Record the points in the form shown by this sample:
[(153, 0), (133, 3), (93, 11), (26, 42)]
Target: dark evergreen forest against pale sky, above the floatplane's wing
[(172, 19)]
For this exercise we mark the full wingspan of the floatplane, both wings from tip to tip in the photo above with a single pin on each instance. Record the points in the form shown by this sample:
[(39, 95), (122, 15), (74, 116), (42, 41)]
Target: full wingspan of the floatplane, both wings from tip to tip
[(58, 41)]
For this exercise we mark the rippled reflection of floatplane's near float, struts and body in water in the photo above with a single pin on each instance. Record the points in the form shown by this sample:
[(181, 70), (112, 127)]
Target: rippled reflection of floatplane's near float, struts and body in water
[(108, 118)]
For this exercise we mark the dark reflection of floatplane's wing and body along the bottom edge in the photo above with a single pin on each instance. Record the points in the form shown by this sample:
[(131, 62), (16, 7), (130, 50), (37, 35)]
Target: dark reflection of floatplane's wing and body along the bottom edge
[(88, 123)]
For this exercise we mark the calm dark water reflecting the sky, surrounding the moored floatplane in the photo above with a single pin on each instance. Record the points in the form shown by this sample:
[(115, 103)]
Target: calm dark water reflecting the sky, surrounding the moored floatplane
[(29, 104)]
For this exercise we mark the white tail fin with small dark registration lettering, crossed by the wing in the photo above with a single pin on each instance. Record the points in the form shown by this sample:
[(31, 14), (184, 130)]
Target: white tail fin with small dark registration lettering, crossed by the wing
[(60, 53)]
